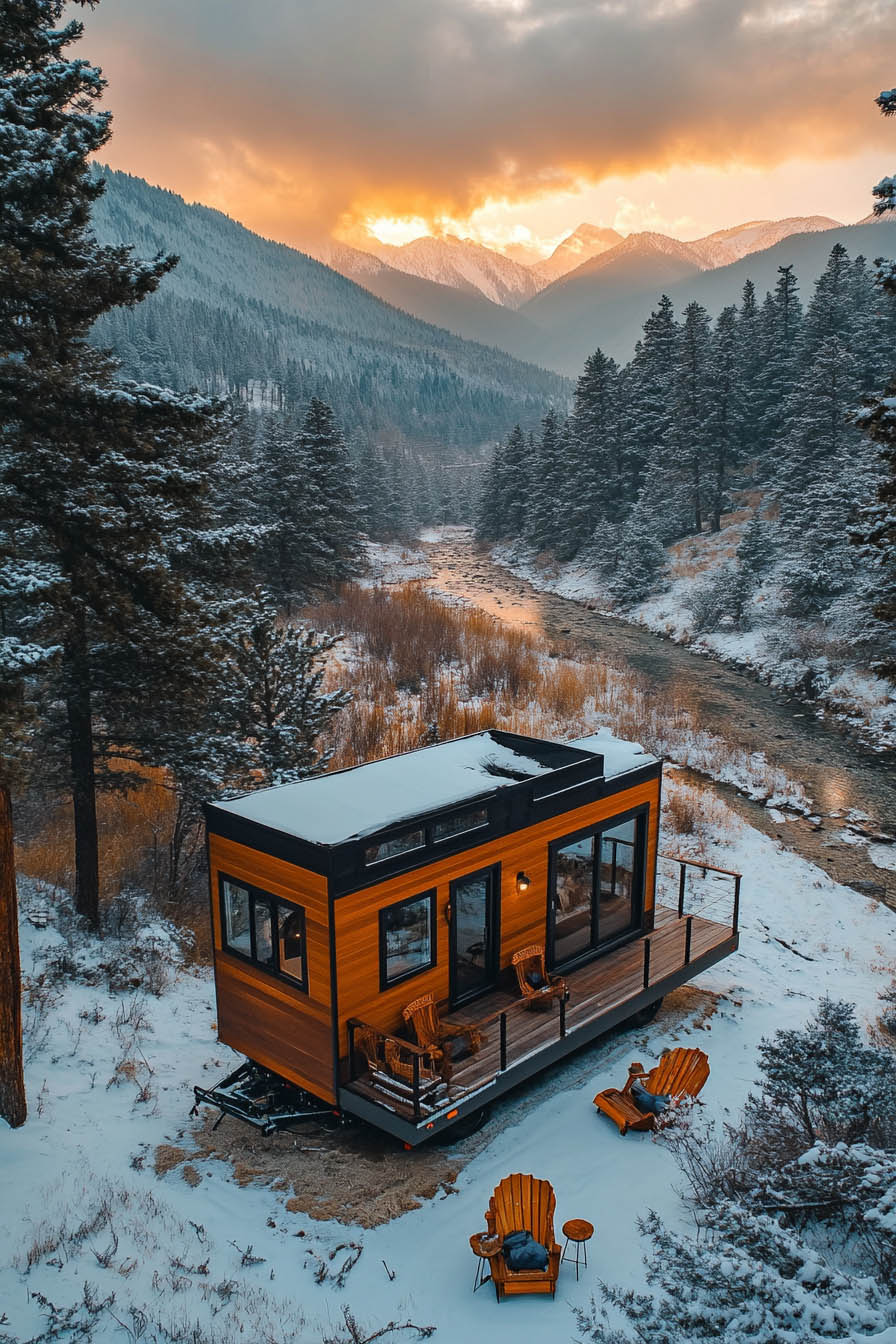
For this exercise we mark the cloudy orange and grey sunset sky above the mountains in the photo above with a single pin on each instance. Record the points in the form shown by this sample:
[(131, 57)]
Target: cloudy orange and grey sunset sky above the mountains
[(510, 122)]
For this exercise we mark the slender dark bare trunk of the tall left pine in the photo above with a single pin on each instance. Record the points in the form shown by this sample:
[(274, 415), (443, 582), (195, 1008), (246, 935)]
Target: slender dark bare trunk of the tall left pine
[(84, 783)]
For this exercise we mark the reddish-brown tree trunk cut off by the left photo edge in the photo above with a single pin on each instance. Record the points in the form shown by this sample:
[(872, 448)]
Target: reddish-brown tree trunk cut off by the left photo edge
[(13, 1087)]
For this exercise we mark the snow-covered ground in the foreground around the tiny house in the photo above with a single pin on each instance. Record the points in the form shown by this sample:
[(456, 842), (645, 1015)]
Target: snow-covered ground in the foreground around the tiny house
[(191, 1255)]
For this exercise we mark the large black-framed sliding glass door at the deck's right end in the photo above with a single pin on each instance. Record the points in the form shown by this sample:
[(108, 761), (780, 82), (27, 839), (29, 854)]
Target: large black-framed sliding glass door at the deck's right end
[(597, 889)]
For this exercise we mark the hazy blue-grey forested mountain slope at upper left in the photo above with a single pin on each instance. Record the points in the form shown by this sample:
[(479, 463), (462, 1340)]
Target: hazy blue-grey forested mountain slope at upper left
[(255, 318)]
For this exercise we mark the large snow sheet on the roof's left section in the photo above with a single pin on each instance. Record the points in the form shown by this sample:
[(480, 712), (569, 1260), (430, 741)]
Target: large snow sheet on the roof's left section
[(350, 804)]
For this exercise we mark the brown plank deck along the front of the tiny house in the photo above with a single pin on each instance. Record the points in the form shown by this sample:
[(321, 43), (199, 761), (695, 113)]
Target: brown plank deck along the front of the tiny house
[(519, 1041)]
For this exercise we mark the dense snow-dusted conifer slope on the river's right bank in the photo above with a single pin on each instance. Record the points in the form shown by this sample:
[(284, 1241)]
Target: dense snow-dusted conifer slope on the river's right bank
[(762, 411)]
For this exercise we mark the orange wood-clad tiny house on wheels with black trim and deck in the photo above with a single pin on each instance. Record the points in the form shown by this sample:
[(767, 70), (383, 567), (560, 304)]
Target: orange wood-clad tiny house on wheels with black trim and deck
[(408, 940)]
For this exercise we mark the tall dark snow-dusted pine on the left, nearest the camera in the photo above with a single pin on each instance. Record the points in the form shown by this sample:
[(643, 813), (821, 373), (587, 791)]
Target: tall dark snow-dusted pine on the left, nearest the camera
[(97, 478)]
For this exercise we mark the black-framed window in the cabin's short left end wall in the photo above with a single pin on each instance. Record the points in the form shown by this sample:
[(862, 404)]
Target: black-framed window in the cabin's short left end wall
[(265, 929)]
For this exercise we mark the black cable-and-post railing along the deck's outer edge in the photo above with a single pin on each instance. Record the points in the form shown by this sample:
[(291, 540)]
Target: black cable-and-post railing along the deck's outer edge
[(417, 1080)]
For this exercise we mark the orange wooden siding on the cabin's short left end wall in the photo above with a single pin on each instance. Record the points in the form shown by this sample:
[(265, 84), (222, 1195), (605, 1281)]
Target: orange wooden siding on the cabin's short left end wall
[(260, 1015)]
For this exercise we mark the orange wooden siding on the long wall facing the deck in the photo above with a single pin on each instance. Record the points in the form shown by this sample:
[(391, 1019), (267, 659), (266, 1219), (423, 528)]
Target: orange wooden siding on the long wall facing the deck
[(523, 916)]
